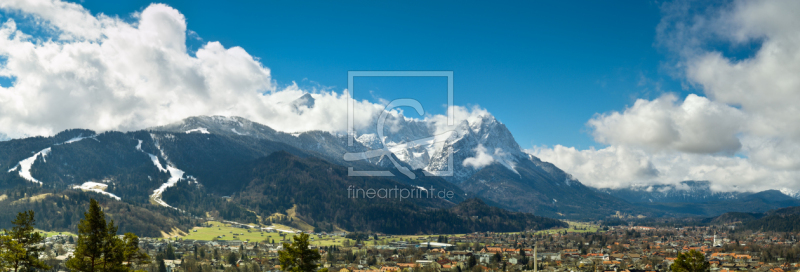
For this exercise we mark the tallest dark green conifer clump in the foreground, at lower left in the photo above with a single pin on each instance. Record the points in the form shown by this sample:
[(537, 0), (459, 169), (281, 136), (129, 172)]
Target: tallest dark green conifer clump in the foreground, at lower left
[(98, 248)]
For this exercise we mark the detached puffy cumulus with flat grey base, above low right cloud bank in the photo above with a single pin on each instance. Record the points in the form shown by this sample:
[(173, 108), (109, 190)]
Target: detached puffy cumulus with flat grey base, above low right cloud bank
[(697, 125)]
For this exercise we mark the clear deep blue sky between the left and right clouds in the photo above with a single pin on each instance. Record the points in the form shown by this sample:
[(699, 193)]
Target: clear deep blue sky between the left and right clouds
[(543, 69)]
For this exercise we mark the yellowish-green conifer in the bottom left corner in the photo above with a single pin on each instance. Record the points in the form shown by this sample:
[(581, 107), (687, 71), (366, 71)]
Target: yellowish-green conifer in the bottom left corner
[(20, 246)]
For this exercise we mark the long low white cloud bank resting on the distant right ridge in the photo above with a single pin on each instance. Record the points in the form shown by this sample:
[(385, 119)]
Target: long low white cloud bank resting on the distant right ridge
[(620, 166)]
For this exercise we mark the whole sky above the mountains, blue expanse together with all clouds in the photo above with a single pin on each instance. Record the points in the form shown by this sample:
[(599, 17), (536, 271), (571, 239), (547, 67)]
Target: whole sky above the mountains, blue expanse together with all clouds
[(634, 92)]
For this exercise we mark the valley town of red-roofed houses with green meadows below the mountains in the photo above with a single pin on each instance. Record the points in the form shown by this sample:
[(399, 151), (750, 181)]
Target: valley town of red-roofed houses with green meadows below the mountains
[(599, 248)]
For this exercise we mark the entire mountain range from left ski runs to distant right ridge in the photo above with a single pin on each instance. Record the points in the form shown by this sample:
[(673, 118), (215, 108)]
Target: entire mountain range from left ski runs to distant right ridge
[(188, 166)]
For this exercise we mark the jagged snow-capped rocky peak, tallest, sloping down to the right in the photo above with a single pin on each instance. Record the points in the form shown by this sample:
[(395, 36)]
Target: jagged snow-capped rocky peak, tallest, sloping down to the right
[(488, 162)]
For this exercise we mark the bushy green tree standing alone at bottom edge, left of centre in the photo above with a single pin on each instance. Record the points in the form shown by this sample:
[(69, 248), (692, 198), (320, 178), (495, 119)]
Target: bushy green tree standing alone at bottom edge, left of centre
[(297, 257)]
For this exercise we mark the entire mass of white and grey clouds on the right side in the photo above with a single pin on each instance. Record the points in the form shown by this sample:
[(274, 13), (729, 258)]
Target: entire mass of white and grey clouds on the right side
[(749, 107)]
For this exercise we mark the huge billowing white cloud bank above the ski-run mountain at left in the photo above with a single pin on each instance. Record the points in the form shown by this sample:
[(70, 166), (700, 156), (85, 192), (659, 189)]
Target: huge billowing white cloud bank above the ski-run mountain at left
[(103, 73)]
